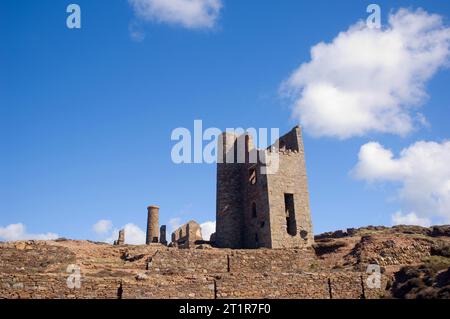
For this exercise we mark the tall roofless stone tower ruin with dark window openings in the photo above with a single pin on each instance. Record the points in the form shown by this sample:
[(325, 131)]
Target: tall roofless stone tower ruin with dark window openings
[(257, 210)]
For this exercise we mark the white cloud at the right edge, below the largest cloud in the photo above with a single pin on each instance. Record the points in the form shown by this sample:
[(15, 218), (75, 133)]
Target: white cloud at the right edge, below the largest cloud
[(422, 172)]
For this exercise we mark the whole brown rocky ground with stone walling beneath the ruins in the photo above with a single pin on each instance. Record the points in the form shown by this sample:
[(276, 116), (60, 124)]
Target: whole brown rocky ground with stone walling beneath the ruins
[(414, 262)]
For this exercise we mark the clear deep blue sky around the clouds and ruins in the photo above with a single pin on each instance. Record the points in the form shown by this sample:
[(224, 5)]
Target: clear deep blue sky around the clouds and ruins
[(86, 115)]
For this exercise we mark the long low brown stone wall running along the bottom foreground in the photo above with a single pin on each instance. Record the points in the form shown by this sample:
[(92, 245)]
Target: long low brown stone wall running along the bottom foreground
[(196, 286)]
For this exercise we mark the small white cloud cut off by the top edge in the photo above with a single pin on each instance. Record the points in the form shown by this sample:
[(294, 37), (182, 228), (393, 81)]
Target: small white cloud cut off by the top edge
[(191, 14)]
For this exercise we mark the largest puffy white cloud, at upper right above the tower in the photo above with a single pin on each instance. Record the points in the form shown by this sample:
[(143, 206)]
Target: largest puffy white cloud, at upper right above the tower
[(370, 80)]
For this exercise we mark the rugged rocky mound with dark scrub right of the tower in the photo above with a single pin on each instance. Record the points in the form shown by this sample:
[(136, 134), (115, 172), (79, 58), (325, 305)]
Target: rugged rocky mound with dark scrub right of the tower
[(416, 260)]
